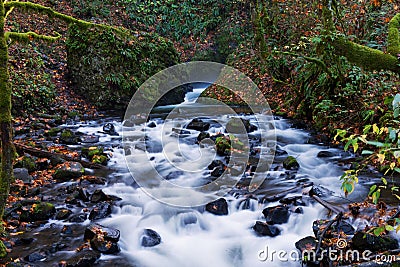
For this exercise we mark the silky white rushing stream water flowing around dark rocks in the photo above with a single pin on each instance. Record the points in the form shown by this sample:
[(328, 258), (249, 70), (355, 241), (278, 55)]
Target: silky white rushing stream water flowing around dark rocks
[(192, 236)]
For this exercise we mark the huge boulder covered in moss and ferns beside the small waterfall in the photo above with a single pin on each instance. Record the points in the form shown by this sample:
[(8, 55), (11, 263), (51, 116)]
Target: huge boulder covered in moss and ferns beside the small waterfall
[(108, 66)]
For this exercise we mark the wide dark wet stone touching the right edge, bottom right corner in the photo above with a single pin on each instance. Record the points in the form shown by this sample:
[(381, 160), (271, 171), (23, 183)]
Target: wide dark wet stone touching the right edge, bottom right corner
[(373, 243)]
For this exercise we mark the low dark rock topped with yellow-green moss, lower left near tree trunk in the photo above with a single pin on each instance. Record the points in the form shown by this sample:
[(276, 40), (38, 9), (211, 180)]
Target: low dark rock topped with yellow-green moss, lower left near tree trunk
[(40, 211)]
